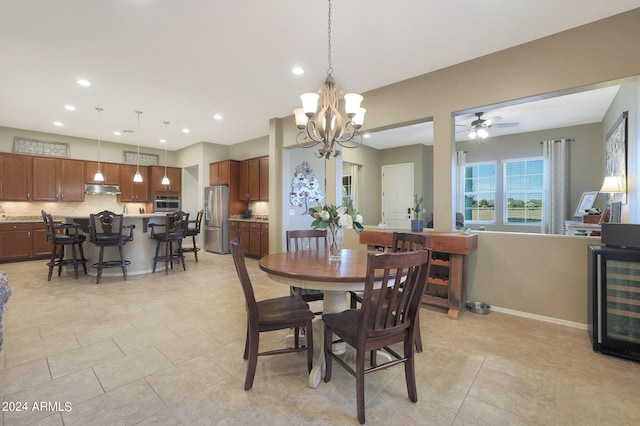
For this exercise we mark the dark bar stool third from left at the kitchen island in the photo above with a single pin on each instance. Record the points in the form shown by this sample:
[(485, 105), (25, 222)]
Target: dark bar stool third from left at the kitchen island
[(174, 231)]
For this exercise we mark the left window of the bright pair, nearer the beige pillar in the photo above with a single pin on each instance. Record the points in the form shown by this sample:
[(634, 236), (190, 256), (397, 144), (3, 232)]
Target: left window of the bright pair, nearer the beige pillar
[(480, 192)]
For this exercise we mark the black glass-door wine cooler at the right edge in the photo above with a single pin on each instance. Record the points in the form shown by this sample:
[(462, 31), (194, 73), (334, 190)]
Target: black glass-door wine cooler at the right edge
[(614, 301)]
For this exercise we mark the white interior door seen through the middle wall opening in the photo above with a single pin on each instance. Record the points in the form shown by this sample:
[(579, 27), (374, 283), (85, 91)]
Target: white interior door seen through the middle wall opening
[(397, 195)]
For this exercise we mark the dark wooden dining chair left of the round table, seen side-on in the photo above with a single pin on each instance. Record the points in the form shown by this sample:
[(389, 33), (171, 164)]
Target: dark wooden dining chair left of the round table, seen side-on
[(269, 315)]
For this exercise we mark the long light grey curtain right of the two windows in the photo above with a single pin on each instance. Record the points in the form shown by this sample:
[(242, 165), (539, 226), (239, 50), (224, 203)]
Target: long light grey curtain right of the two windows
[(556, 205)]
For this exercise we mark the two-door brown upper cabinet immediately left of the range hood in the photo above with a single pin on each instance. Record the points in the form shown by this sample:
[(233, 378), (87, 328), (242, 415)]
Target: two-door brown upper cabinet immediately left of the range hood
[(56, 179)]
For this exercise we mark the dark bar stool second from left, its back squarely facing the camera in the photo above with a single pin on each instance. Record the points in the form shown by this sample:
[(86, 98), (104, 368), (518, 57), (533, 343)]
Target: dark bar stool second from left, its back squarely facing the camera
[(105, 230)]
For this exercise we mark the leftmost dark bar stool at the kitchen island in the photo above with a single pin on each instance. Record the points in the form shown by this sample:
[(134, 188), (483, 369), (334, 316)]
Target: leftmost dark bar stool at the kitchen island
[(60, 235)]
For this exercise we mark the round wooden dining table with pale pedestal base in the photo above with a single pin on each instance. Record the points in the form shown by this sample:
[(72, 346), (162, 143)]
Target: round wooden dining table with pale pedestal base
[(312, 269)]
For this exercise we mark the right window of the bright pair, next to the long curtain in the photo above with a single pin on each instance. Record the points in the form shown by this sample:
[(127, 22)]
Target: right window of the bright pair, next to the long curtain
[(523, 191)]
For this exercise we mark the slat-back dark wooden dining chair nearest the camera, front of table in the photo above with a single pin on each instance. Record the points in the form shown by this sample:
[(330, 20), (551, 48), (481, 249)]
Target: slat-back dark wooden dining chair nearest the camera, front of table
[(378, 325)]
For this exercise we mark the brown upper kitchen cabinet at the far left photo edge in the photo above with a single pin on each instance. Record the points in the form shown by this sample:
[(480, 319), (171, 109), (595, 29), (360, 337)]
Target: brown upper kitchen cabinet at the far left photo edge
[(15, 177)]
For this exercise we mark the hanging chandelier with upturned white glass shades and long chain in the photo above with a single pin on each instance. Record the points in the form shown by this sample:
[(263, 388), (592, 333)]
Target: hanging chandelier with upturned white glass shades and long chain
[(322, 123)]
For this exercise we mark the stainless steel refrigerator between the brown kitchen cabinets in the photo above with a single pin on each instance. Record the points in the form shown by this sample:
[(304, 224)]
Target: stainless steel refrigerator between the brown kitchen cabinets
[(216, 219)]
